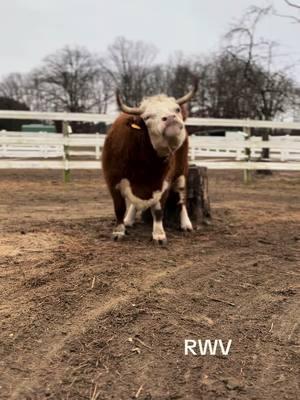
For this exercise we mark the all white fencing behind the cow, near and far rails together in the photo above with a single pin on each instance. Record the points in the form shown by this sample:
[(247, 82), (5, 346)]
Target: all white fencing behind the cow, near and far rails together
[(62, 151)]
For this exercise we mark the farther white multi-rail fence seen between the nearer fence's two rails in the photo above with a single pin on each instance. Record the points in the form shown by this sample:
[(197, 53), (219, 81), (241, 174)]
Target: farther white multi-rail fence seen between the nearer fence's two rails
[(46, 145)]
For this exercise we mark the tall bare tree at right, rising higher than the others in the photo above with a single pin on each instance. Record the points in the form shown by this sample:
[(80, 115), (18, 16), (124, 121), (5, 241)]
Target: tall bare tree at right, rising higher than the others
[(270, 87)]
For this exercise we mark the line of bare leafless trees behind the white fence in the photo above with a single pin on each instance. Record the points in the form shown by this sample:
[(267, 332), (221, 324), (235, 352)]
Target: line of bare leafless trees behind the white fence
[(241, 81)]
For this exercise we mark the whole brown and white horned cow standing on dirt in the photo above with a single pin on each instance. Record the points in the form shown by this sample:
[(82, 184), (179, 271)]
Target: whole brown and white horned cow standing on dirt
[(145, 155)]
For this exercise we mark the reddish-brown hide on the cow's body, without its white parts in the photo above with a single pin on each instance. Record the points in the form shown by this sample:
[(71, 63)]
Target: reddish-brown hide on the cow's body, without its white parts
[(128, 153)]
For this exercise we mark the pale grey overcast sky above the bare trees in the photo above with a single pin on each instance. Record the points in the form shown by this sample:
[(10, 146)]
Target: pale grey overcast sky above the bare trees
[(31, 29)]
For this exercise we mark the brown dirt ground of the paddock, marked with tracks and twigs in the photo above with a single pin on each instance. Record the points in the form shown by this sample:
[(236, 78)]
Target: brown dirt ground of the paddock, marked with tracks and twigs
[(83, 317)]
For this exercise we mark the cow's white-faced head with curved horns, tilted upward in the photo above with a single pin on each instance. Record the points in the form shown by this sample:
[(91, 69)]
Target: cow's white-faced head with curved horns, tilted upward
[(164, 119)]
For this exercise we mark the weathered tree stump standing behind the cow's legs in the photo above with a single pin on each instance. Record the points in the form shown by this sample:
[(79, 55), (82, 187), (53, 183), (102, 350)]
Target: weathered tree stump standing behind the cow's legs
[(198, 204)]
